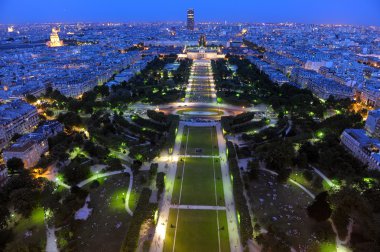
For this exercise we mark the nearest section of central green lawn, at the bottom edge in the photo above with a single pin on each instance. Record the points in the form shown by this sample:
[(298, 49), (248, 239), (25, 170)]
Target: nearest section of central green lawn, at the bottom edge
[(197, 230)]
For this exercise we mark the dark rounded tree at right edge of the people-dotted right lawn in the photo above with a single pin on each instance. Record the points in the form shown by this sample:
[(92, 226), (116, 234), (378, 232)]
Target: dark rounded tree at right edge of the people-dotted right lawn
[(320, 209)]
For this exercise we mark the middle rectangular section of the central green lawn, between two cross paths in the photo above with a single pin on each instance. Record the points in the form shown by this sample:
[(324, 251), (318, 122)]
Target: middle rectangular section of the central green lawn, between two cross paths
[(198, 184)]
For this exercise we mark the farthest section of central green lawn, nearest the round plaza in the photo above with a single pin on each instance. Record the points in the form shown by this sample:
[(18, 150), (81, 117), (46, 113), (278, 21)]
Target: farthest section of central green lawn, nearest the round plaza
[(203, 138)]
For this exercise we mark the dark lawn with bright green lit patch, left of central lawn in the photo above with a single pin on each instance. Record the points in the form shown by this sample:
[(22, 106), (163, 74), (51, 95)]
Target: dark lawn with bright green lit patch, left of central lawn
[(105, 229)]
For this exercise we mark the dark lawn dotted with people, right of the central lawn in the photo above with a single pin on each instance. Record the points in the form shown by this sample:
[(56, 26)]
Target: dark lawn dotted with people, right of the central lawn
[(282, 206)]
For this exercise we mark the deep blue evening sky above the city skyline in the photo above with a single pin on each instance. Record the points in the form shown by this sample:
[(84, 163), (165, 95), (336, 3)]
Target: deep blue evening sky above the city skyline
[(363, 12)]
